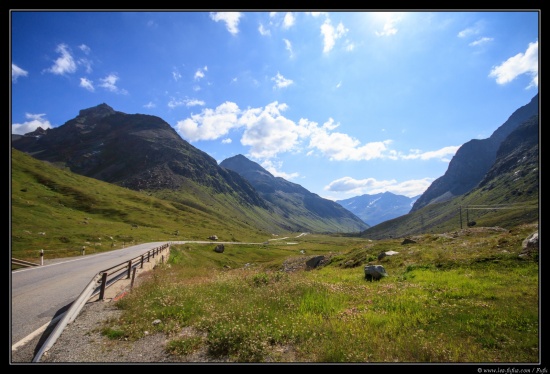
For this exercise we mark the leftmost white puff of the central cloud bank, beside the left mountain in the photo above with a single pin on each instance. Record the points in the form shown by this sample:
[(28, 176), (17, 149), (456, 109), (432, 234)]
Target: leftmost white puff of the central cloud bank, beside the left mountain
[(209, 124)]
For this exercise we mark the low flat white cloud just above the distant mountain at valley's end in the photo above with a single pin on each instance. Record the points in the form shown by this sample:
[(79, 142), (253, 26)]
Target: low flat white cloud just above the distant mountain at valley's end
[(371, 186)]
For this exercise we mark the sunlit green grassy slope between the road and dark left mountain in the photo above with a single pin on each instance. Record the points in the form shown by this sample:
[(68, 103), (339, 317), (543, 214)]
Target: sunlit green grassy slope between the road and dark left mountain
[(60, 212)]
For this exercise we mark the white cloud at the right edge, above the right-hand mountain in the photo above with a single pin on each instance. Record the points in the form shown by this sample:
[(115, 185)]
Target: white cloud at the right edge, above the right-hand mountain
[(522, 63)]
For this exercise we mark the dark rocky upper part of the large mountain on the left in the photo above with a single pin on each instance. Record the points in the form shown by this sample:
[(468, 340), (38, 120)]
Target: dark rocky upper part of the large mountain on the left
[(136, 151)]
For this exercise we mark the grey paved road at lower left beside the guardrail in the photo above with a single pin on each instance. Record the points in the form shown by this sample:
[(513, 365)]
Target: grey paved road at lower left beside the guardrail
[(39, 294)]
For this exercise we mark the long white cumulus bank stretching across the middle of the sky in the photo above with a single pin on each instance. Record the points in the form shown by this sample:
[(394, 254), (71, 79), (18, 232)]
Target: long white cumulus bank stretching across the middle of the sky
[(268, 133)]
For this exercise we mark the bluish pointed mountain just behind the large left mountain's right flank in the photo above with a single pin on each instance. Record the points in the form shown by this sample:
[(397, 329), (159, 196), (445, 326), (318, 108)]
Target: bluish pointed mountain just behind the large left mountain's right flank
[(298, 205)]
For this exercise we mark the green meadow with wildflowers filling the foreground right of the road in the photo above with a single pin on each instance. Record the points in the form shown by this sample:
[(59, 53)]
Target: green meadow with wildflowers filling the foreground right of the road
[(465, 299)]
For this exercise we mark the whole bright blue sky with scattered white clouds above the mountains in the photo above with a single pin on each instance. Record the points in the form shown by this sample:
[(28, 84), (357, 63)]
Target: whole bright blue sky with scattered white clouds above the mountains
[(342, 103)]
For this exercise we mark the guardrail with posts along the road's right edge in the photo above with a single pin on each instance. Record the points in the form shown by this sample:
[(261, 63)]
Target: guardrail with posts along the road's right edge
[(105, 279)]
